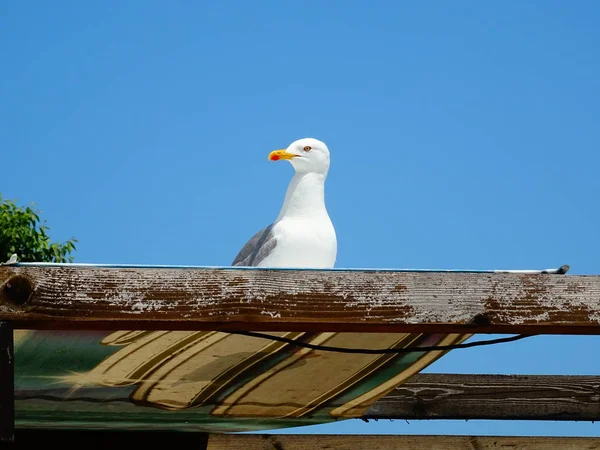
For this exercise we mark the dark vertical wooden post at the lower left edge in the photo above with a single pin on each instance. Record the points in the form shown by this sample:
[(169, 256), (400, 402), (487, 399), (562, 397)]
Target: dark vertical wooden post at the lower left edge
[(7, 383)]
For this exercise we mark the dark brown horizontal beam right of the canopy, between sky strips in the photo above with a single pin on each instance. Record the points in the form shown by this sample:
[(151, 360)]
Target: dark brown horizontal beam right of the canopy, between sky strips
[(505, 397)]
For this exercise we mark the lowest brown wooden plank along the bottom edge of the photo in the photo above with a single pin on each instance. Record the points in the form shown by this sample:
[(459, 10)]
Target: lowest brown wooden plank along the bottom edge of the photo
[(387, 442)]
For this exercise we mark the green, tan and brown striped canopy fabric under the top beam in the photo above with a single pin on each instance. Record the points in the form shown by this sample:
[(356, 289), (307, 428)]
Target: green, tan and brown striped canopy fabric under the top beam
[(206, 381)]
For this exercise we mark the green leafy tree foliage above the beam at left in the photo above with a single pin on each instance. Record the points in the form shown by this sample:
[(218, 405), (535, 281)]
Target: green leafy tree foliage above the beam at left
[(22, 232)]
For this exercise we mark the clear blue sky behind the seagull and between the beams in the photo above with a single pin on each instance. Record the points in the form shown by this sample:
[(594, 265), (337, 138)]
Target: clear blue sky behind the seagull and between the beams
[(463, 135)]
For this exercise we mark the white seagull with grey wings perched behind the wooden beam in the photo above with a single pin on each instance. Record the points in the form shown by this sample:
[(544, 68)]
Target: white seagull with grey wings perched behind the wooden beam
[(302, 235)]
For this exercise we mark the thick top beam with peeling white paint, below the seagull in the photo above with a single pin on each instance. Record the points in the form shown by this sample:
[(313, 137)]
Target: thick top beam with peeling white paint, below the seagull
[(363, 301)]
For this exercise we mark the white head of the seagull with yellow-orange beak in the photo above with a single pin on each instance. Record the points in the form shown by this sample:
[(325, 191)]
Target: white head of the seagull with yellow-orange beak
[(306, 155)]
